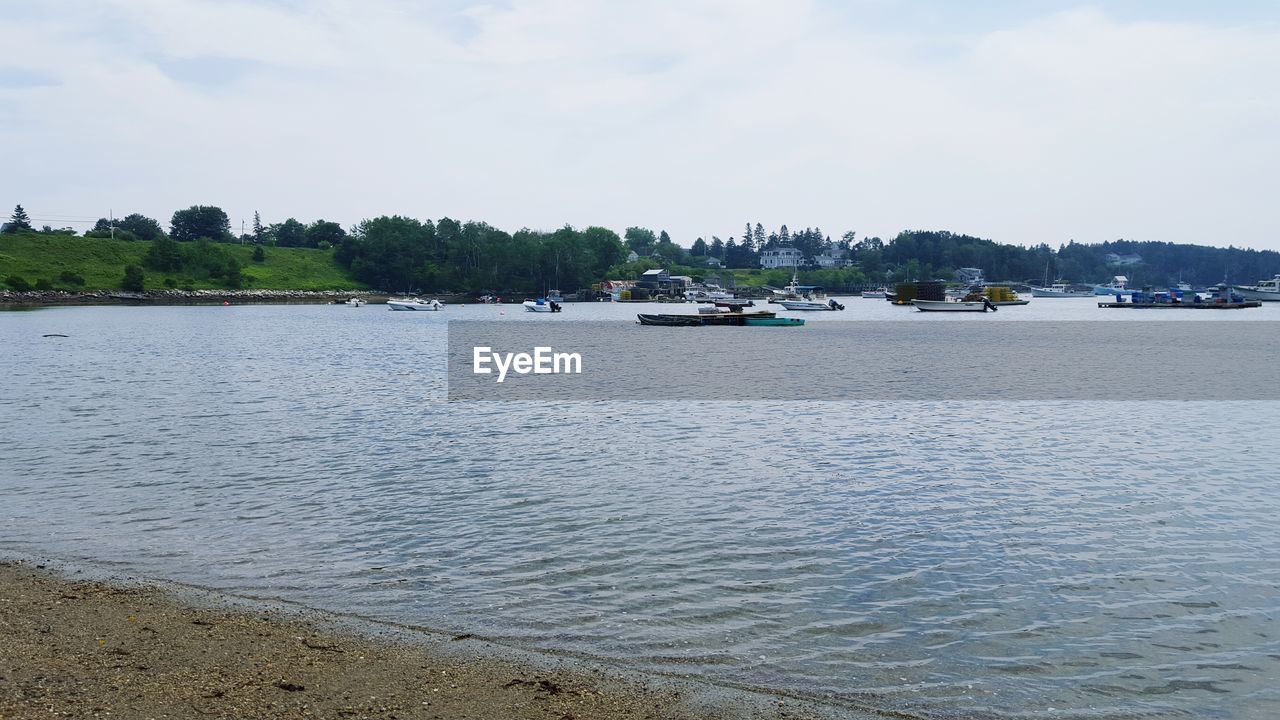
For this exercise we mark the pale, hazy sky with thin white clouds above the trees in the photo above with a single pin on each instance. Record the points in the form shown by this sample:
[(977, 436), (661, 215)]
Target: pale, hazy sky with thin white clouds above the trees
[(1023, 122)]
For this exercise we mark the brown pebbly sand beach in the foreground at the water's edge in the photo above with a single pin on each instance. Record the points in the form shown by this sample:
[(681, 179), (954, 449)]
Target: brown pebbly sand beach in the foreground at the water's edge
[(111, 646)]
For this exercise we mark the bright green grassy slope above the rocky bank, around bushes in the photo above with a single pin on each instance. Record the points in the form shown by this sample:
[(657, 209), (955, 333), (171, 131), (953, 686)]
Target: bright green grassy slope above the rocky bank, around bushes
[(102, 262)]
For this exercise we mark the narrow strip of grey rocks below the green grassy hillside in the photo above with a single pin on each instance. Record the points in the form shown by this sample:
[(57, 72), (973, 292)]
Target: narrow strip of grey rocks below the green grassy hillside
[(185, 298)]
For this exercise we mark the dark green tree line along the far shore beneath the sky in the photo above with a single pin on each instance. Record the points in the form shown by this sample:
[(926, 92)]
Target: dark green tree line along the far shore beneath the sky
[(403, 254)]
